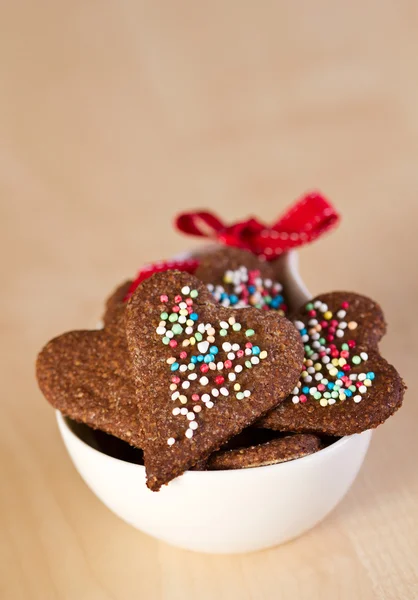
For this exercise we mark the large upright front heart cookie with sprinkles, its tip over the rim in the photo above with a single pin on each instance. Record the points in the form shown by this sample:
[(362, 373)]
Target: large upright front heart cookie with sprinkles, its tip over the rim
[(202, 372)]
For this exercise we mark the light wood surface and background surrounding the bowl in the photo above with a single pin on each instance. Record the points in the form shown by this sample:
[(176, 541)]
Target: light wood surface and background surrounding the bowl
[(113, 116)]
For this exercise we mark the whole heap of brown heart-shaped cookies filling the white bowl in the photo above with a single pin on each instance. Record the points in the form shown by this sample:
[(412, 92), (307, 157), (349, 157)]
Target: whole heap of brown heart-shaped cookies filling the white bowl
[(203, 365)]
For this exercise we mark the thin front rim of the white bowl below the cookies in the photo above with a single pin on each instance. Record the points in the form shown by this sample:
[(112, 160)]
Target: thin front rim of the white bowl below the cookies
[(291, 464)]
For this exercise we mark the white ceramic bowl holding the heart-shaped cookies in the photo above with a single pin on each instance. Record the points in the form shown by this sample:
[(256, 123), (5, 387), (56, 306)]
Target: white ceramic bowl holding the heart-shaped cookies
[(226, 511)]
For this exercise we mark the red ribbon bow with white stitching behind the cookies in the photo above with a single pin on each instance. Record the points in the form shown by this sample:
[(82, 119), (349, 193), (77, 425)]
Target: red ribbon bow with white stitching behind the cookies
[(304, 222)]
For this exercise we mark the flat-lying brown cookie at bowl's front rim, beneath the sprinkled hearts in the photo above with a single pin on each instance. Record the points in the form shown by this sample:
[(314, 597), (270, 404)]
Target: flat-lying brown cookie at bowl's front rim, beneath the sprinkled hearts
[(278, 450)]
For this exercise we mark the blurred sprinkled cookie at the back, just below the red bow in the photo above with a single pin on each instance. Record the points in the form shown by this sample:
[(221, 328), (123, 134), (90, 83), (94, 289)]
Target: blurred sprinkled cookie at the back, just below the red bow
[(237, 278)]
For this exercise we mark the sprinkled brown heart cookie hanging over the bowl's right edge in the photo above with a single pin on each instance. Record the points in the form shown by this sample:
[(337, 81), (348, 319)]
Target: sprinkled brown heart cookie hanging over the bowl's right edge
[(346, 386)]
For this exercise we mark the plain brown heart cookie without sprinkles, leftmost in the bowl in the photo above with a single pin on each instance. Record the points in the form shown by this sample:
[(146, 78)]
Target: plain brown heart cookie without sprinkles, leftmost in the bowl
[(87, 376)]
